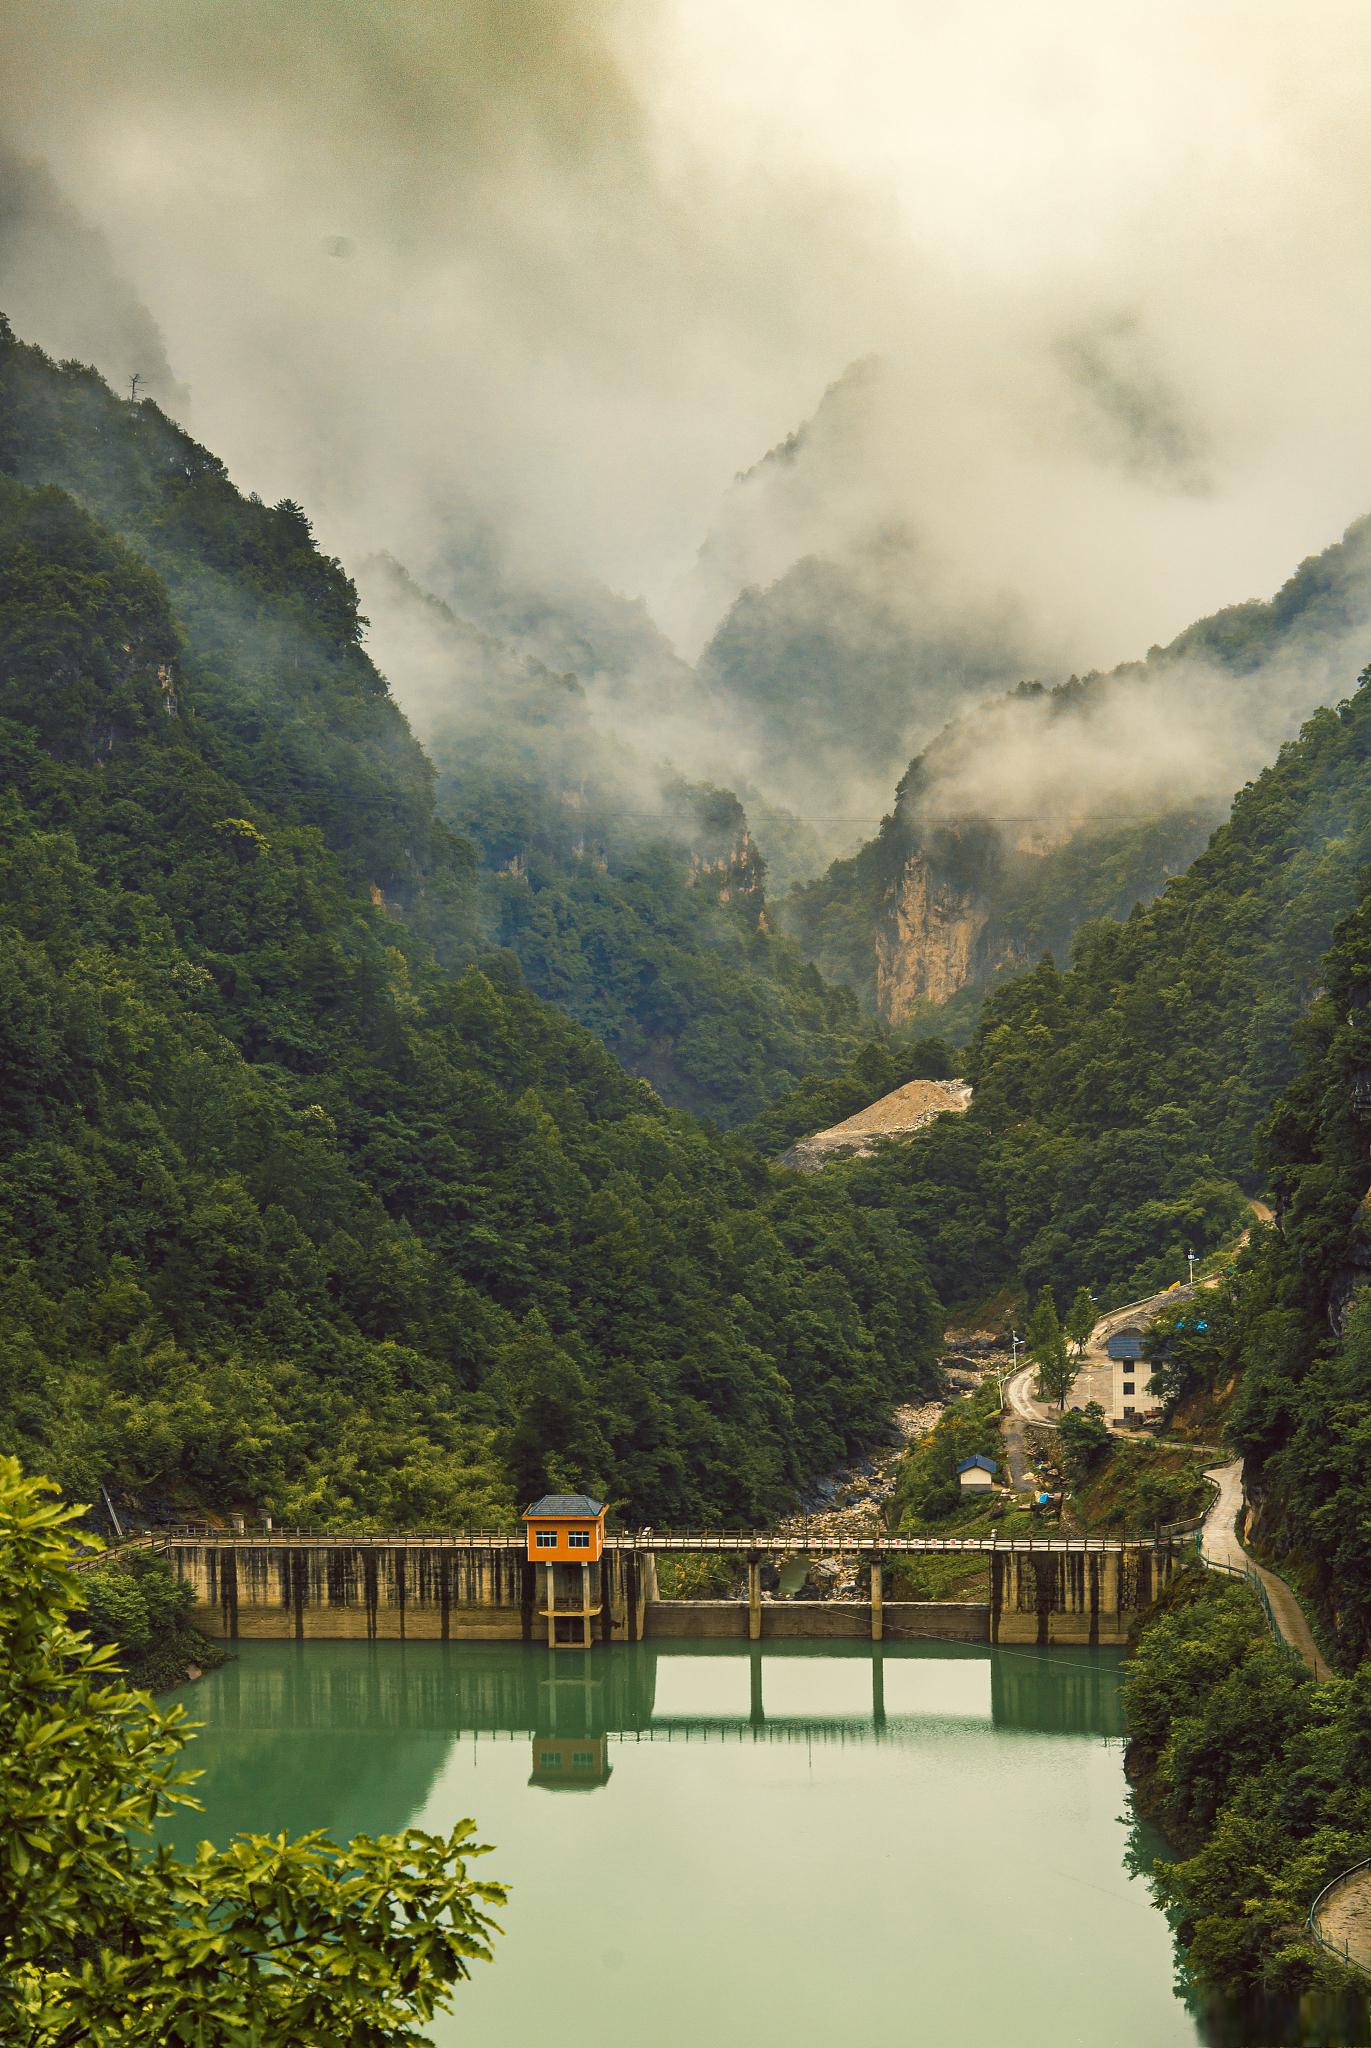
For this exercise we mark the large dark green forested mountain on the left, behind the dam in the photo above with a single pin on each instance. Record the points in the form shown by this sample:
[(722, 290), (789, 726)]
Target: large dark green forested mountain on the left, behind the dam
[(308, 1203)]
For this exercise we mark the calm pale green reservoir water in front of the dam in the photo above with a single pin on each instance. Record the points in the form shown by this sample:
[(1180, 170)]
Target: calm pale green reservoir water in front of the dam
[(726, 1844)]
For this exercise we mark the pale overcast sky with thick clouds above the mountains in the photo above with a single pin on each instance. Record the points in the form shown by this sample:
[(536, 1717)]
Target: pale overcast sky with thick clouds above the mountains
[(577, 263)]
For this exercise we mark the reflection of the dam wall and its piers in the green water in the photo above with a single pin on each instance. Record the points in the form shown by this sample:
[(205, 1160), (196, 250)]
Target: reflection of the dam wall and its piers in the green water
[(579, 1709)]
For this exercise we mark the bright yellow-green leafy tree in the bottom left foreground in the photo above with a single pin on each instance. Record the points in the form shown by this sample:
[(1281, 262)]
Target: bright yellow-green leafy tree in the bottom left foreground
[(112, 1940)]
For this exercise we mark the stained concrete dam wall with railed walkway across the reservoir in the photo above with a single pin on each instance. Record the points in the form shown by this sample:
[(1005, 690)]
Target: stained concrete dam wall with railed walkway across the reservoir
[(485, 1586)]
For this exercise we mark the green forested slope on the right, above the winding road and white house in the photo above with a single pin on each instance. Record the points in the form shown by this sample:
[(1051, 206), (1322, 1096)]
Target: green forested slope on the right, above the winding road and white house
[(1116, 1103)]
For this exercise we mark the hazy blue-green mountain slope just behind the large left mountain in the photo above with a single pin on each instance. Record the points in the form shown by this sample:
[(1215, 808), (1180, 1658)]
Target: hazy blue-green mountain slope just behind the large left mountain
[(630, 898)]
